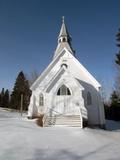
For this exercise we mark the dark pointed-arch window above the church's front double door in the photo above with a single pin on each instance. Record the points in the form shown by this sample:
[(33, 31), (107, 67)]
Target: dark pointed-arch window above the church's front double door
[(63, 90)]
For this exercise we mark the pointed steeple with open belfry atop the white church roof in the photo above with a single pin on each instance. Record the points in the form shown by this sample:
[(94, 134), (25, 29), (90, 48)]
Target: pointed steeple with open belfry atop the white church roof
[(64, 39)]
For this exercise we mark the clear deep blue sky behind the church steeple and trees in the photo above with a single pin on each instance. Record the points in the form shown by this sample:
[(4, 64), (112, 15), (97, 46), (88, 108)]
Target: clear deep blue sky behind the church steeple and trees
[(29, 30)]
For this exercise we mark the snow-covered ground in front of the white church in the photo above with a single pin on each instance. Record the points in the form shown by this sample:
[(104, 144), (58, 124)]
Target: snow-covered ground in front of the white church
[(21, 139)]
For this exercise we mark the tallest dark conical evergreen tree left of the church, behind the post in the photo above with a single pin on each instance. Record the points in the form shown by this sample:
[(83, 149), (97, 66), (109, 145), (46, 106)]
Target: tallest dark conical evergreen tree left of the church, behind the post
[(21, 87)]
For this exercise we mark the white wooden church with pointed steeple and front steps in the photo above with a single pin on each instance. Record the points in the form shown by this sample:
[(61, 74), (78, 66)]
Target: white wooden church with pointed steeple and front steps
[(66, 93)]
